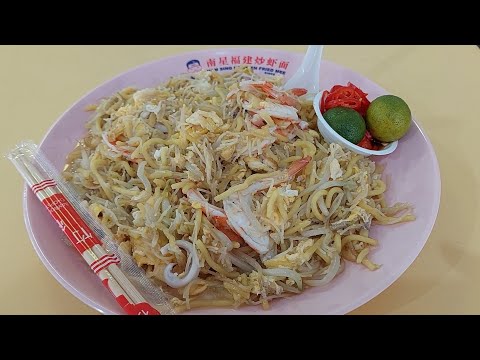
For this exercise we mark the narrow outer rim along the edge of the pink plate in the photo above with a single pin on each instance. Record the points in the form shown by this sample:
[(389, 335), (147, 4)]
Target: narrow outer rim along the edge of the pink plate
[(350, 306)]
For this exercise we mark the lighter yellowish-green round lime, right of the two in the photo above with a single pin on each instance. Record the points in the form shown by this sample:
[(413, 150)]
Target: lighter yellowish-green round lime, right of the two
[(388, 118)]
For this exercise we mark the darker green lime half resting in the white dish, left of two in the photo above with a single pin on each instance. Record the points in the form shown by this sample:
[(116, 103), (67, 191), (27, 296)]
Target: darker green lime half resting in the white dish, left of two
[(348, 123)]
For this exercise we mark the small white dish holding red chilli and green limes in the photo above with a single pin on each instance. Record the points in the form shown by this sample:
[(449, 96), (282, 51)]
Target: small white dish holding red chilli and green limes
[(332, 136)]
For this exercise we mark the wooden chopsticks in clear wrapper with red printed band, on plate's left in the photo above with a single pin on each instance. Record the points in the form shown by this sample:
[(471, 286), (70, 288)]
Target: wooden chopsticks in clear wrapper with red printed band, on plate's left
[(103, 264)]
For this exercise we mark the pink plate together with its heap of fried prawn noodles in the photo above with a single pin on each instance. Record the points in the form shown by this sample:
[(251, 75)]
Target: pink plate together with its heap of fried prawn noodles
[(228, 203)]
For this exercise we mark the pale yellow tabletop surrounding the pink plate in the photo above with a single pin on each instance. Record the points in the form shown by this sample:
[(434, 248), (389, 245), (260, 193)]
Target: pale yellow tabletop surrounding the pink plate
[(440, 83)]
